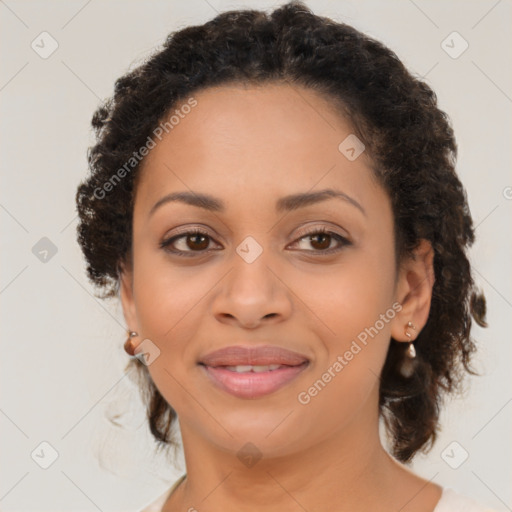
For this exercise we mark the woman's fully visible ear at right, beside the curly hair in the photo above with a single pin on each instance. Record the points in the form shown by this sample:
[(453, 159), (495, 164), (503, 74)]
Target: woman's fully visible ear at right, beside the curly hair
[(414, 292)]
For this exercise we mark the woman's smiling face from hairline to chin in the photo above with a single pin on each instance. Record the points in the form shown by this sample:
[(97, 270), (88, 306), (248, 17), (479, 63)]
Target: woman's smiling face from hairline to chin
[(259, 277)]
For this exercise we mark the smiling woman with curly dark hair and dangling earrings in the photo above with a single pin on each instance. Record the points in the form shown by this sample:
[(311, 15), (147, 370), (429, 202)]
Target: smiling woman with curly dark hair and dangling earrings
[(273, 198)]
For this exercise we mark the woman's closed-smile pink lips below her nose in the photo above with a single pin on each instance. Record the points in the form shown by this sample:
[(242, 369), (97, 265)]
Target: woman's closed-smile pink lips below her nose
[(252, 384)]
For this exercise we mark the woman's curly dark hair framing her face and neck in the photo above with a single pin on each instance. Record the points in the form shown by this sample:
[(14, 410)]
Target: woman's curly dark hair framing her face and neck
[(408, 138)]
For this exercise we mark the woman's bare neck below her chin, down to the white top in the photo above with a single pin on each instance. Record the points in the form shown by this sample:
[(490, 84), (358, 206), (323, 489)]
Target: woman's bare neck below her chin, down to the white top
[(350, 470)]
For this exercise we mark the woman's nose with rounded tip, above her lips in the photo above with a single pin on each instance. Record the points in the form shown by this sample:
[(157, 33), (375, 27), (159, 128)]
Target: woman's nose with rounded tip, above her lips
[(252, 294)]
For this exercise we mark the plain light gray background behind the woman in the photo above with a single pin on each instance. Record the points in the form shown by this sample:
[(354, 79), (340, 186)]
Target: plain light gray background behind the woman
[(62, 358)]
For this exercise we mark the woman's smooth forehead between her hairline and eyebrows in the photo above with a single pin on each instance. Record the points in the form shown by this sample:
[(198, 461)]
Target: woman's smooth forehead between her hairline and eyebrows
[(274, 139)]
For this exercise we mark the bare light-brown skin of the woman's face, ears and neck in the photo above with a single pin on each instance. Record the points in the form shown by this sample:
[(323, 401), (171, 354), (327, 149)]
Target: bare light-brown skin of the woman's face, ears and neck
[(249, 146)]
